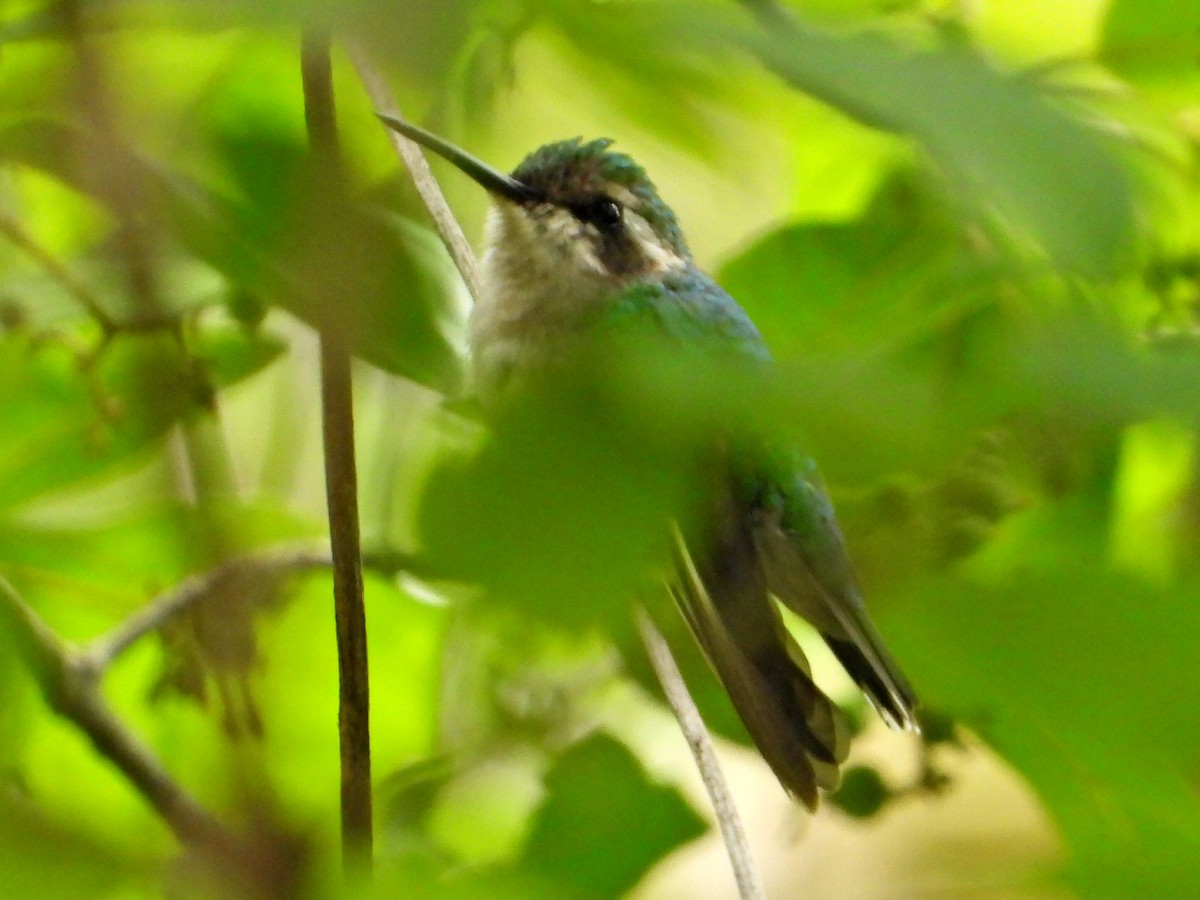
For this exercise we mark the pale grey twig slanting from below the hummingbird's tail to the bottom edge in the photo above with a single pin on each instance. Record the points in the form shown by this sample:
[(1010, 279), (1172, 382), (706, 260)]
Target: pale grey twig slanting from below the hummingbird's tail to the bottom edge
[(746, 873)]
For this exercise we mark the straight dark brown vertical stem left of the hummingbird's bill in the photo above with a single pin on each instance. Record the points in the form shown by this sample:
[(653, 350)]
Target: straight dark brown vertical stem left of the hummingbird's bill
[(341, 493)]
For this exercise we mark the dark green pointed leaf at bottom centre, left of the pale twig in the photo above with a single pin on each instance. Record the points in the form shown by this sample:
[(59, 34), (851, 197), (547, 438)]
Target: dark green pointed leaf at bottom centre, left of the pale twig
[(604, 824)]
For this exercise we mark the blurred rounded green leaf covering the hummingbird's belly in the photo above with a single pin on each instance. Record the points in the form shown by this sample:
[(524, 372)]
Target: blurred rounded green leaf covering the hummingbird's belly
[(563, 511)]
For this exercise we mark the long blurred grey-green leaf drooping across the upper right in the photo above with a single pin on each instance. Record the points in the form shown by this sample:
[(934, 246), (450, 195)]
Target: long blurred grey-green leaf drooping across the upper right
[(993, 131)]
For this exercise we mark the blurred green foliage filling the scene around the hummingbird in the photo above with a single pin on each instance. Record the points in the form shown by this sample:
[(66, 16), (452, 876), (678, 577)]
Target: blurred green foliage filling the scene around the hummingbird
[(969, 236)]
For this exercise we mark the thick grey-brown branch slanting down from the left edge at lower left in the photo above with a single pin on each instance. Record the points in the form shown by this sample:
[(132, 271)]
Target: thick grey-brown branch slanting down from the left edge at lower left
[(70, 686)]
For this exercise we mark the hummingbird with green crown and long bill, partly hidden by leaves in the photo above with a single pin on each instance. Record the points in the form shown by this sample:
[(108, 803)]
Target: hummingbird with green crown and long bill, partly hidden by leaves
[(577, 235)]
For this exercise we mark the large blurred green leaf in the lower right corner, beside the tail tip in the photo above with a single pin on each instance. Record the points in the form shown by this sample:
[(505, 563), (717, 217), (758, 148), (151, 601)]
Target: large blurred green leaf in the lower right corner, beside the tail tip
[(1083, 680)]
